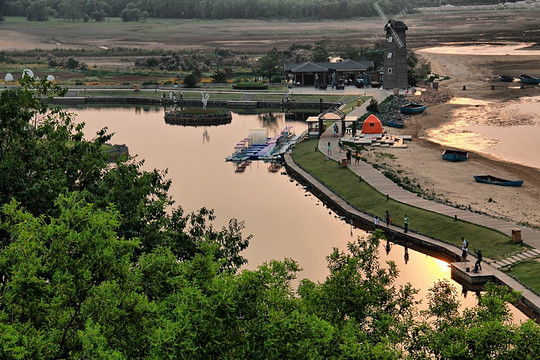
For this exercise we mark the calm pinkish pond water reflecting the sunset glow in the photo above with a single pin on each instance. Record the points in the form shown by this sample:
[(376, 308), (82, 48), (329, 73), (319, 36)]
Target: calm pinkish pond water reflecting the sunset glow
[(285, 220)]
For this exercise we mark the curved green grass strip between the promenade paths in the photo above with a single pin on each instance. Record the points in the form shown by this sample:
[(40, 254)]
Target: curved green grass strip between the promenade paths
[(362, 196)]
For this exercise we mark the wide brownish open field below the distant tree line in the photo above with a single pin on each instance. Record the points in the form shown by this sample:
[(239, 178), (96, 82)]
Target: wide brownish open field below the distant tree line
[(258, 36)]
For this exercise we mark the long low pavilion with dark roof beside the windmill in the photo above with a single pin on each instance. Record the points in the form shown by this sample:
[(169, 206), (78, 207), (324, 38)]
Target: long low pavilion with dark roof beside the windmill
[(310, 73)]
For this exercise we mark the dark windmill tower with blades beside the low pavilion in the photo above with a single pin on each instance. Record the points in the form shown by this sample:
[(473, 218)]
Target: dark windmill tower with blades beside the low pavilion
[(395, 53)]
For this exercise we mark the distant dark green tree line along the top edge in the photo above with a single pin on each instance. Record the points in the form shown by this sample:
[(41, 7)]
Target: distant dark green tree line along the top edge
[(129, 10)]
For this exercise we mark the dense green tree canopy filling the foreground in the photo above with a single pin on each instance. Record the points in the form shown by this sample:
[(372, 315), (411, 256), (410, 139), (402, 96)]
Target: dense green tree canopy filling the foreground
[(96, 262)]
